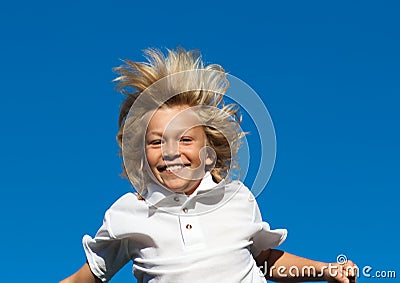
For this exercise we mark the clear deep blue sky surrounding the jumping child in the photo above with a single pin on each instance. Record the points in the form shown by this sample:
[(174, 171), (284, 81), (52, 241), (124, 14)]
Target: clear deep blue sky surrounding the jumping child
[(328, 72)]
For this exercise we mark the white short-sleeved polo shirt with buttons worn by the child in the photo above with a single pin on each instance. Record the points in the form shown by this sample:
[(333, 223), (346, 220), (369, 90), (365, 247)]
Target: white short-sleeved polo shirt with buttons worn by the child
[(209, 236)]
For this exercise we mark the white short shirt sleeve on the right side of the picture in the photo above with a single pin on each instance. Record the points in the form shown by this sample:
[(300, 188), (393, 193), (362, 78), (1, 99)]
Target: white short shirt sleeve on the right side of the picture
[(265, 238)]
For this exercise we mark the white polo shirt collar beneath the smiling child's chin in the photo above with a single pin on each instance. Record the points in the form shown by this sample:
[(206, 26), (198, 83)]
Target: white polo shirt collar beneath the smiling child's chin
[(157, 195)]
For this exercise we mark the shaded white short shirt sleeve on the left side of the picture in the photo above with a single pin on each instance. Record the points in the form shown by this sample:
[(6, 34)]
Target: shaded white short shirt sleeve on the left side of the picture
[(105, 253)]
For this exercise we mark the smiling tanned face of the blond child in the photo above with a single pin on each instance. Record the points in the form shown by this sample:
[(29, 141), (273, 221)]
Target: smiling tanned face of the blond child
[(176, 148)]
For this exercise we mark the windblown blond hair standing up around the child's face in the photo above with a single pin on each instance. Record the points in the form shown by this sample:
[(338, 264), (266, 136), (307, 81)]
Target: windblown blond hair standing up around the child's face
[(174, 79)]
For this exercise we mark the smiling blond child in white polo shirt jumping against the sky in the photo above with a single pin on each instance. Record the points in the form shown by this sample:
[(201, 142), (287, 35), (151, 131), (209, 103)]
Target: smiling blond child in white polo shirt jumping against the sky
[(186, 223)]
